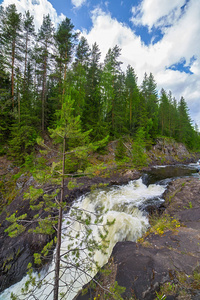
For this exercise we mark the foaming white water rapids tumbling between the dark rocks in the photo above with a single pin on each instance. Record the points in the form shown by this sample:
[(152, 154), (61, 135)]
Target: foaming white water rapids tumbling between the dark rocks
[(120, 203)]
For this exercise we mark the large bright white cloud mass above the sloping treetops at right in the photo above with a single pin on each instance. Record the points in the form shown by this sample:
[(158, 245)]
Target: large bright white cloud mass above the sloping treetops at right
[(180, 40)]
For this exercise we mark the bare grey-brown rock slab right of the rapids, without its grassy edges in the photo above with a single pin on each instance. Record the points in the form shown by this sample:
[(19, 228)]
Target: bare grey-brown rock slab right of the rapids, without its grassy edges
[(144, 267)]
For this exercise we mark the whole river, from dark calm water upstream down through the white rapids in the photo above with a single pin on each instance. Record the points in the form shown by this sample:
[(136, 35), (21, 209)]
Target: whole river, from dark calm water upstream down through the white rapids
[(126, 205)]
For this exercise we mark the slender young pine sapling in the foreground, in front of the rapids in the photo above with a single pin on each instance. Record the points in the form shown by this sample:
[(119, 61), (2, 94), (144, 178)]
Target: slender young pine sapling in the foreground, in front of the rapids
[(72, 140)]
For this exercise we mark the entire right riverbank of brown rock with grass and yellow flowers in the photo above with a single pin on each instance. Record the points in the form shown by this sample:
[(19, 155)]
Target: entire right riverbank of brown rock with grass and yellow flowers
[(165, 261)]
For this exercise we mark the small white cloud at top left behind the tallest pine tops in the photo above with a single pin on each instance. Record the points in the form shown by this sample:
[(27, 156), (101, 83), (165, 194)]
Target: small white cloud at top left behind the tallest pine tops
[(37, 8)]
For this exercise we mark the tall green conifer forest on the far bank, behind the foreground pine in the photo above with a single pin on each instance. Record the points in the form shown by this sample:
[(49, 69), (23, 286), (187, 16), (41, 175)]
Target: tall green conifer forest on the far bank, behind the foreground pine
[(39, 70)]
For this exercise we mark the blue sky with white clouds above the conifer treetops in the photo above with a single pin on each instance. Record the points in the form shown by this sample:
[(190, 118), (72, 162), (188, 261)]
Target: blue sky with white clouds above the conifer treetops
[(158, 36)]
